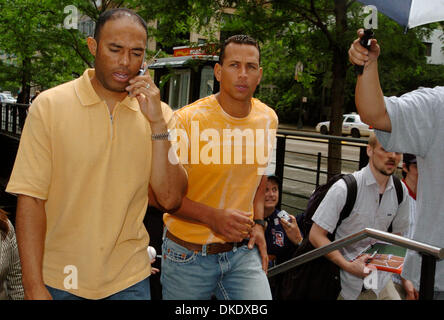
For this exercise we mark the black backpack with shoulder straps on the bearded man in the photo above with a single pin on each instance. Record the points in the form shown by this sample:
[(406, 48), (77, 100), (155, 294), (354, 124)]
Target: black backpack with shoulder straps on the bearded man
[(318, 279)]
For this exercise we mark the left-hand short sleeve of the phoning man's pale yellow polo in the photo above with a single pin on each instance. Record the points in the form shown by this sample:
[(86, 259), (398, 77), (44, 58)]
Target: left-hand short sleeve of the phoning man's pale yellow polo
[(31, 174)]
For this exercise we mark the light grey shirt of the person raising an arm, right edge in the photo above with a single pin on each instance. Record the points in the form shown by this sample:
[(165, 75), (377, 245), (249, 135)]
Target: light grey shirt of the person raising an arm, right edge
[(417, 127)]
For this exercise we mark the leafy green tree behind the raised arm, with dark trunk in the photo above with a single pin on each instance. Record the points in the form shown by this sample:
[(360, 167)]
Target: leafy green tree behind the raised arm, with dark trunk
[(319, 33)]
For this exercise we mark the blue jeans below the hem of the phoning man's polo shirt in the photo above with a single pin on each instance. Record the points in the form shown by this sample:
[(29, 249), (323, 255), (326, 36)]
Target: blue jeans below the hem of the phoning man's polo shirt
[(138, 291)]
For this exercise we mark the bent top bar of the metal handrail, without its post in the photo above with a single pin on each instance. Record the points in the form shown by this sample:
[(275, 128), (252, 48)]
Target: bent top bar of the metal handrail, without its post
[(365, 233)]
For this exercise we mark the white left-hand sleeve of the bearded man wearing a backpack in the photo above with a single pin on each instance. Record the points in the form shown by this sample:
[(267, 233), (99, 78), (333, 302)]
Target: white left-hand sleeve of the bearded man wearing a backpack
[(327, 214)]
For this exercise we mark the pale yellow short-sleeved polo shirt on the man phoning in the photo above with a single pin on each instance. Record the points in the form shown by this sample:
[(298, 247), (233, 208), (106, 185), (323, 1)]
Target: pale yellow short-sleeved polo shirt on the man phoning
[(93, 170)]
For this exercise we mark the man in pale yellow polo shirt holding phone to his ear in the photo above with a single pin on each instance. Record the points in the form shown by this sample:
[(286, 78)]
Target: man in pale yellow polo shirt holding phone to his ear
[(89, 155)]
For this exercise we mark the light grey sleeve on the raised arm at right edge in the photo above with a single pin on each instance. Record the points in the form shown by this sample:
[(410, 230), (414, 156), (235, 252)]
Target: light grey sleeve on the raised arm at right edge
[(414, 118)]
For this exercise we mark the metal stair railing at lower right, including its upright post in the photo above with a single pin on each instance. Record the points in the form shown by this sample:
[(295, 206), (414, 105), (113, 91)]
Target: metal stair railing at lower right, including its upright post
[(430, 255)]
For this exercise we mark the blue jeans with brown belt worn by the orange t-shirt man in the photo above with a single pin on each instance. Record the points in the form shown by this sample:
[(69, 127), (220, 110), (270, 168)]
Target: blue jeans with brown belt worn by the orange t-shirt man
[(190, 275)]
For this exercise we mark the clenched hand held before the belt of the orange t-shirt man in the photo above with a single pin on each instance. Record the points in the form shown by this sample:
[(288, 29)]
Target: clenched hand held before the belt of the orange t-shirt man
[(234, 225)]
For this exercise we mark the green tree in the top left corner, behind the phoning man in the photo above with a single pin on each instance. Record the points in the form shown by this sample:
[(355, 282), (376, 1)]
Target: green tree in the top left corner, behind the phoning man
[(32, 35)]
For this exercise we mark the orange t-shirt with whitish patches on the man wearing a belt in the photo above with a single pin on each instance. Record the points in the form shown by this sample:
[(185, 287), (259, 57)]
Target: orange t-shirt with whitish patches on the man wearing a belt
[(225, 158)]
